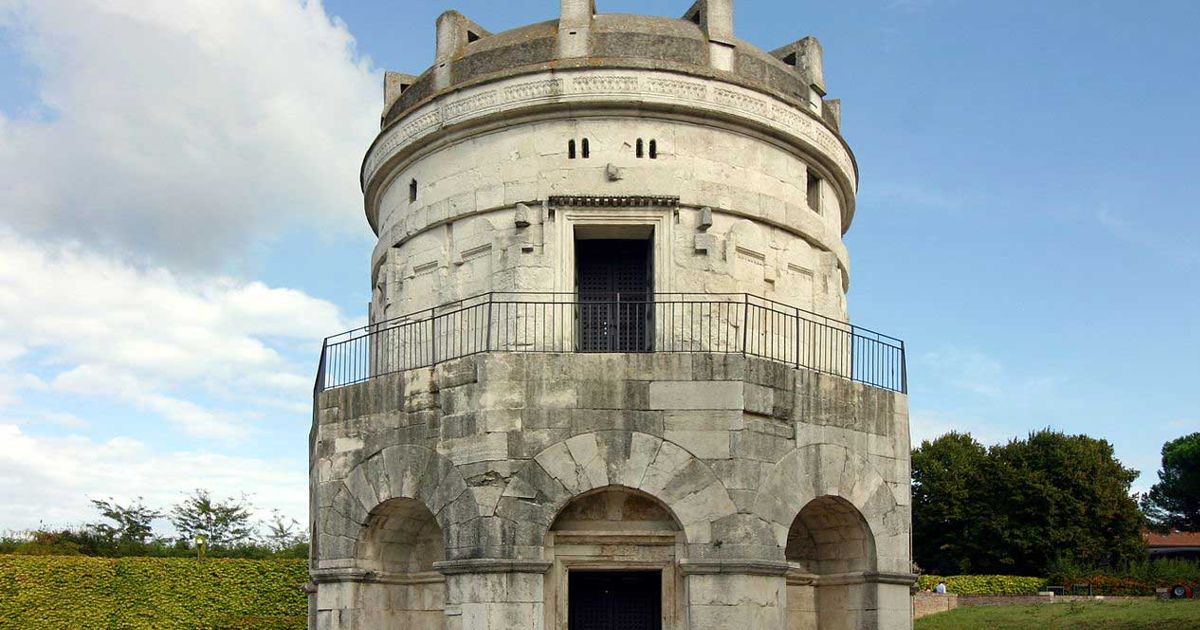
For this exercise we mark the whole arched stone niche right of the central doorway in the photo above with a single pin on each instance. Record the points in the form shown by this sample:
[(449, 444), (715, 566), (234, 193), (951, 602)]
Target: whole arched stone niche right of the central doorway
[(830, 551)]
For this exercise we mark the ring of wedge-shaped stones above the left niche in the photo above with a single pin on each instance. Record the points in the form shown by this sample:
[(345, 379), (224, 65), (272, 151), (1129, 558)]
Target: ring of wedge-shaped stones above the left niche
[(407, 472)]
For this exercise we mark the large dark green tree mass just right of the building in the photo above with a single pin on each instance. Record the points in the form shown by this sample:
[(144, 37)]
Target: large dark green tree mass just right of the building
[(1017, 508)]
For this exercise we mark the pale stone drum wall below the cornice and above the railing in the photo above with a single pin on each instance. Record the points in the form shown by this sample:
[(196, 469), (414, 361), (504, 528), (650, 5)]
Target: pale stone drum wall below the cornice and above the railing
[(481, 224)]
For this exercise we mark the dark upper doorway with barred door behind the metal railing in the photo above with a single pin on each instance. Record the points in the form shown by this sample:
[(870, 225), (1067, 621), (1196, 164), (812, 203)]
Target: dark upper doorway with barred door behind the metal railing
[(616, 293)]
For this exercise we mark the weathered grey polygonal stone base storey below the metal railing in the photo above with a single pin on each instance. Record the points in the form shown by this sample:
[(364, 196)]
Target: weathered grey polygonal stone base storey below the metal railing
[(465, 496)]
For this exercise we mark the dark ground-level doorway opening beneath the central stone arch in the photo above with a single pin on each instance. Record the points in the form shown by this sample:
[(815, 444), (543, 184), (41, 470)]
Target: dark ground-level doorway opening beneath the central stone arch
[(615, 601)]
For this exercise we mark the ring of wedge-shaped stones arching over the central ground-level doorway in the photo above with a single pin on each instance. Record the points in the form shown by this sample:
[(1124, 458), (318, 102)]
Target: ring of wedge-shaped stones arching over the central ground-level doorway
[(659, 469)]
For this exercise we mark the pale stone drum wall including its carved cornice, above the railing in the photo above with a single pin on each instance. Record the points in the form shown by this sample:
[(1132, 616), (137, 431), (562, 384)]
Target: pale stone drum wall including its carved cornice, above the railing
[(459, 191)]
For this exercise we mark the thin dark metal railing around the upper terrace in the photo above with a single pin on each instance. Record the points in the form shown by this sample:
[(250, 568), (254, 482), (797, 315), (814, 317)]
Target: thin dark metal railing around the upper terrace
[(614, 323)]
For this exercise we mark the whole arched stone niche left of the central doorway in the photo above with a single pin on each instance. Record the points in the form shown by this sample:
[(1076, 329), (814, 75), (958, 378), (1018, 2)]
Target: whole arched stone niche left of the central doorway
[(399, 547)]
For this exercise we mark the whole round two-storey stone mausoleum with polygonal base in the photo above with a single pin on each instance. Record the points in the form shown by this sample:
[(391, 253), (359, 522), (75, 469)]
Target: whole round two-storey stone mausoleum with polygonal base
[(609, 380)]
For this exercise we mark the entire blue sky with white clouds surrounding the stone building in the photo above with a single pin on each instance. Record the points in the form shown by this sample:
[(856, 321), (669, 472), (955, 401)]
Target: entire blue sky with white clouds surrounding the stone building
[(181, 221)]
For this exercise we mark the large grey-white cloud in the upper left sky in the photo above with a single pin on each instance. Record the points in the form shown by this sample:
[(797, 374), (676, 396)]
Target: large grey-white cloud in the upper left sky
[(185, 130)]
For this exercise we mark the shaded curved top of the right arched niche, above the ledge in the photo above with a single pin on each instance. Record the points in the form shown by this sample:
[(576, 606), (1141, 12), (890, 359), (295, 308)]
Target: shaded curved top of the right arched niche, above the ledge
[(831, 537)]
